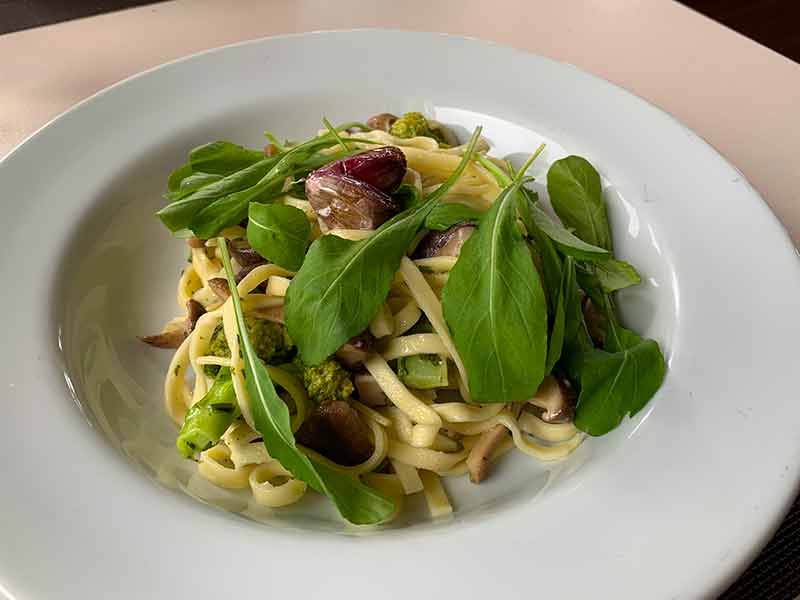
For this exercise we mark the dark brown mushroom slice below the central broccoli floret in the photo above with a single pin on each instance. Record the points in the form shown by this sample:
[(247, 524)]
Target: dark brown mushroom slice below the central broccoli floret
[(335, 430)]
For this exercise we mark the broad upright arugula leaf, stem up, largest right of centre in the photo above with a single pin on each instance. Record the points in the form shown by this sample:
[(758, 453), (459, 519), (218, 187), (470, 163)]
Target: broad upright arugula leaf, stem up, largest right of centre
[(495, 307)]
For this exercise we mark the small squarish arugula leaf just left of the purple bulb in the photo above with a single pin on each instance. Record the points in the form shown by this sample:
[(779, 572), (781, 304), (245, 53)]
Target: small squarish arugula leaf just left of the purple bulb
[(279, 233)]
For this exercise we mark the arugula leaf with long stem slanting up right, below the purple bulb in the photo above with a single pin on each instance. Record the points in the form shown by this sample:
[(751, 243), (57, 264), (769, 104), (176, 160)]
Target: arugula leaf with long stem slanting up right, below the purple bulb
[(343, 283)]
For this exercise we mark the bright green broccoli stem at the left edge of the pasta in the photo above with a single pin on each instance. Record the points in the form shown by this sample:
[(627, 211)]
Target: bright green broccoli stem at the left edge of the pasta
[(207, 420)]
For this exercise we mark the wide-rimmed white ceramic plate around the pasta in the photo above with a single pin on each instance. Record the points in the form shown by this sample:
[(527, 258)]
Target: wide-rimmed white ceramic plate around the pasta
[(672, 504)]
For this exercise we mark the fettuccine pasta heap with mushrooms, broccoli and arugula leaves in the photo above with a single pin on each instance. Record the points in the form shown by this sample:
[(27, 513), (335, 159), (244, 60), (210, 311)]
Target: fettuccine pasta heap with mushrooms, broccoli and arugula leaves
[(384, 306)]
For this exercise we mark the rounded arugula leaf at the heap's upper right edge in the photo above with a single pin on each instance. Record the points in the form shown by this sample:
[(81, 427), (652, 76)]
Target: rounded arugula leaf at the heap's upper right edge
[(577, 197)]
